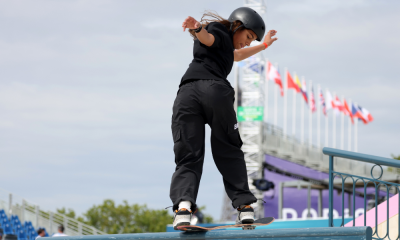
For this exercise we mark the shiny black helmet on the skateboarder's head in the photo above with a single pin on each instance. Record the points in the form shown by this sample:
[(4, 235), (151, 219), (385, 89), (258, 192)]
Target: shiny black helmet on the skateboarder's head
[(250, 19)]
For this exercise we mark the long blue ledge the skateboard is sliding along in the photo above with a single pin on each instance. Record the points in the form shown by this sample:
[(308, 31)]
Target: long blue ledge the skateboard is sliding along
[(354, 233)]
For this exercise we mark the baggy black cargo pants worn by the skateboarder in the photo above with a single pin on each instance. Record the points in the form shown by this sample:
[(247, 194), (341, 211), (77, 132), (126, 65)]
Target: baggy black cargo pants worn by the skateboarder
[(207, 102)]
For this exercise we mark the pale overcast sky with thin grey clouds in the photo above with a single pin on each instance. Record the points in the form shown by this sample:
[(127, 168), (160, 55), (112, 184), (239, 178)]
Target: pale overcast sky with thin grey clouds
[(87, 87)]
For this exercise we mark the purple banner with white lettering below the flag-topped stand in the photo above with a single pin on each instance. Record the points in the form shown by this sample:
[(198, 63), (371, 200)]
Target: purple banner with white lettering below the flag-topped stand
[(295, 200)]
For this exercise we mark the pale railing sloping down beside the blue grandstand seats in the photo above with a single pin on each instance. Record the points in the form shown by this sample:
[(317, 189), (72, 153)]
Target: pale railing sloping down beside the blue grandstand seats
[(28, 211)]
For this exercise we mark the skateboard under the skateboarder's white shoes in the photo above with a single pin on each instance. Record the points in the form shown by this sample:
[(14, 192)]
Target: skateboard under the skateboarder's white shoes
[(248, 226)]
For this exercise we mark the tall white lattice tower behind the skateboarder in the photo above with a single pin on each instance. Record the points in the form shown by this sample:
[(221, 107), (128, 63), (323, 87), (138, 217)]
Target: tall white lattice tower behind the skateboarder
[(251, 94)]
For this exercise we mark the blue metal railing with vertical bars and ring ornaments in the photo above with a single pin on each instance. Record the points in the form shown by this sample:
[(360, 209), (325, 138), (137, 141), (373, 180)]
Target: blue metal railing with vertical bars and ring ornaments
[(364, 182)]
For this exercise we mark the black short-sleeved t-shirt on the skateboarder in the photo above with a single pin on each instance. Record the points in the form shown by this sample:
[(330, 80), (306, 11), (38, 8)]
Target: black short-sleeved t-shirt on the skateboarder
[(214, 62)]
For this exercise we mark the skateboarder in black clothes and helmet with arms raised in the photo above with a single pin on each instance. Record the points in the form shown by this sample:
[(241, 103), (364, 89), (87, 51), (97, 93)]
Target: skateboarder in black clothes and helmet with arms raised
[(206, 97)]
